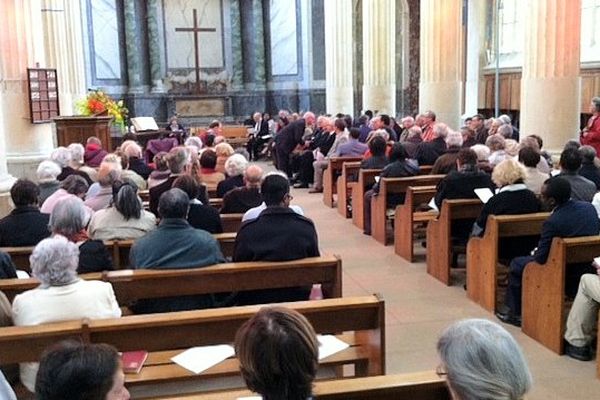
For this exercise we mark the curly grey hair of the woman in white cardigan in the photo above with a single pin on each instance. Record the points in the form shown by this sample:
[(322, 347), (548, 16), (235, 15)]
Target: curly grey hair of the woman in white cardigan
[(54, 261)]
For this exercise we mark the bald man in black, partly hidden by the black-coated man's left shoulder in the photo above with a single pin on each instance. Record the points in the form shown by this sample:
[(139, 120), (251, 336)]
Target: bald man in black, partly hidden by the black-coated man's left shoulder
[(242, 199)]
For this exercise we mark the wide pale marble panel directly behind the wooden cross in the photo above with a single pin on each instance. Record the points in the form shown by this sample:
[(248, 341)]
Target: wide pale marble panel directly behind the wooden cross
[(180, 45)]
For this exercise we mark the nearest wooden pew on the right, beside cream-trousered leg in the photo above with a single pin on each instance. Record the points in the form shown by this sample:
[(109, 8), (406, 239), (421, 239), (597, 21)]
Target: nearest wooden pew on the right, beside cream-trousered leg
[(543, 308)]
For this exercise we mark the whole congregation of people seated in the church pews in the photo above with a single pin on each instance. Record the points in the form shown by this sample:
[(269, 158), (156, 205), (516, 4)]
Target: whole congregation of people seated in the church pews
[(86, 194)]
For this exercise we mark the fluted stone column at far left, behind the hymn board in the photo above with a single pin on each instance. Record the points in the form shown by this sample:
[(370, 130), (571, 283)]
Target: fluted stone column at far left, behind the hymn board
[(22, 46)]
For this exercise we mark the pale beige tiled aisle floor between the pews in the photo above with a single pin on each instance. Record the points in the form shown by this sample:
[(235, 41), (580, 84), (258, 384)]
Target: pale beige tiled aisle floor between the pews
[(418, 307)]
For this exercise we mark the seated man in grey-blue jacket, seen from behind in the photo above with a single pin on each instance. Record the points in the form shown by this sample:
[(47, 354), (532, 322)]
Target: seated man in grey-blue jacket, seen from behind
[(174, 244)]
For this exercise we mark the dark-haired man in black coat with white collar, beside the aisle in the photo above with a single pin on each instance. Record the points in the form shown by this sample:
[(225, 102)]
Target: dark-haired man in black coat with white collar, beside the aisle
[(278, 234)]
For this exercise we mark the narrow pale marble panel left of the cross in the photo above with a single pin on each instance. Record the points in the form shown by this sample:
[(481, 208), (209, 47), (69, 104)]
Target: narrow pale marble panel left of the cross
[(105, 32)]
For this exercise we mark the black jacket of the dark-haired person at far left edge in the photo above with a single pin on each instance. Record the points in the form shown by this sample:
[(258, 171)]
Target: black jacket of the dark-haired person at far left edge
[(24, 226)]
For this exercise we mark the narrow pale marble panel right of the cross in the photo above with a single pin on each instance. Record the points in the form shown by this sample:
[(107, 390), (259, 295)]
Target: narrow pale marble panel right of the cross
[(284, 42)]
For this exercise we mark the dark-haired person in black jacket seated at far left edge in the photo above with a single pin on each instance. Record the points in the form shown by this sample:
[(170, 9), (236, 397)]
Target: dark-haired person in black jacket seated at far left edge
[(25, 225)]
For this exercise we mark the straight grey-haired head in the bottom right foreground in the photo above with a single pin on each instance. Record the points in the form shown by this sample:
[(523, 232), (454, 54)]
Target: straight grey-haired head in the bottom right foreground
[(481, 360)]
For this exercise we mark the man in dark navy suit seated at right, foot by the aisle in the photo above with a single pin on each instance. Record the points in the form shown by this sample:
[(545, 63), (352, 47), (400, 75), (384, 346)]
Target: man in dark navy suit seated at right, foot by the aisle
[(570, 218)]
